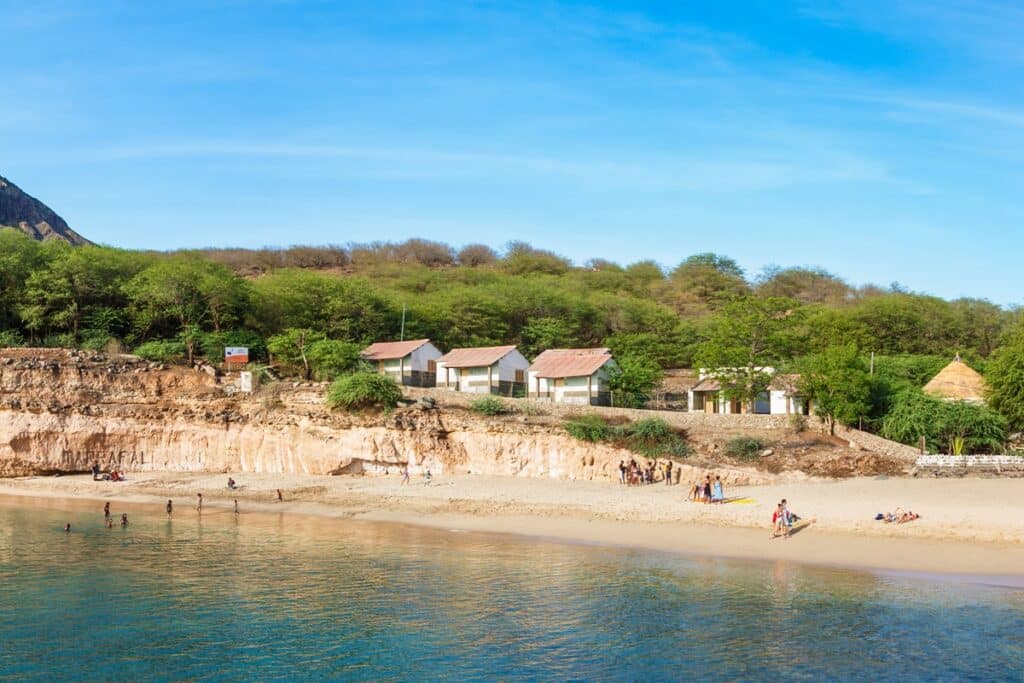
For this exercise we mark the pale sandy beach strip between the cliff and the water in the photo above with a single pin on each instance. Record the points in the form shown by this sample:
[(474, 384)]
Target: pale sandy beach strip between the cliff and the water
[(968, 527)]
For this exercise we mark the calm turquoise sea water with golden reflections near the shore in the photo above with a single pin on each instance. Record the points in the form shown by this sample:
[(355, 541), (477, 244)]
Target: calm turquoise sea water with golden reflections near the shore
[(270, 597)]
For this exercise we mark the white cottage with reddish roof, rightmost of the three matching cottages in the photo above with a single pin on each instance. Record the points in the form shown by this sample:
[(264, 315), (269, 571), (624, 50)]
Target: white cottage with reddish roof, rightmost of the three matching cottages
[(572, 376)]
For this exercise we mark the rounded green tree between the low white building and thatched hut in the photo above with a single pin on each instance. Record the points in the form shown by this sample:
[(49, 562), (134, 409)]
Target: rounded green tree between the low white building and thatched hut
[(838, 382)]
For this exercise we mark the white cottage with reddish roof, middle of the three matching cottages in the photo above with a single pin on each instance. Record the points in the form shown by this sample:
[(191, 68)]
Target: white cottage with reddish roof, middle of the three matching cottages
[(497, 370)]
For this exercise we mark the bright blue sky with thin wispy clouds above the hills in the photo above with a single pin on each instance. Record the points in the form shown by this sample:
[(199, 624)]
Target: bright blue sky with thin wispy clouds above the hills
[(881, 141)]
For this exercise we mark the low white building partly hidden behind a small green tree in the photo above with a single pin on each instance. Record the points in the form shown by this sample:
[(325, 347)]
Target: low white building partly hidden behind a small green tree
[(780, 398)]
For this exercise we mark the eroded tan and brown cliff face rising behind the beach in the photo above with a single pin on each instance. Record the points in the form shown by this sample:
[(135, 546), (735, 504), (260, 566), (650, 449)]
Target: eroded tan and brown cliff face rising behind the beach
[(63, 411)]
